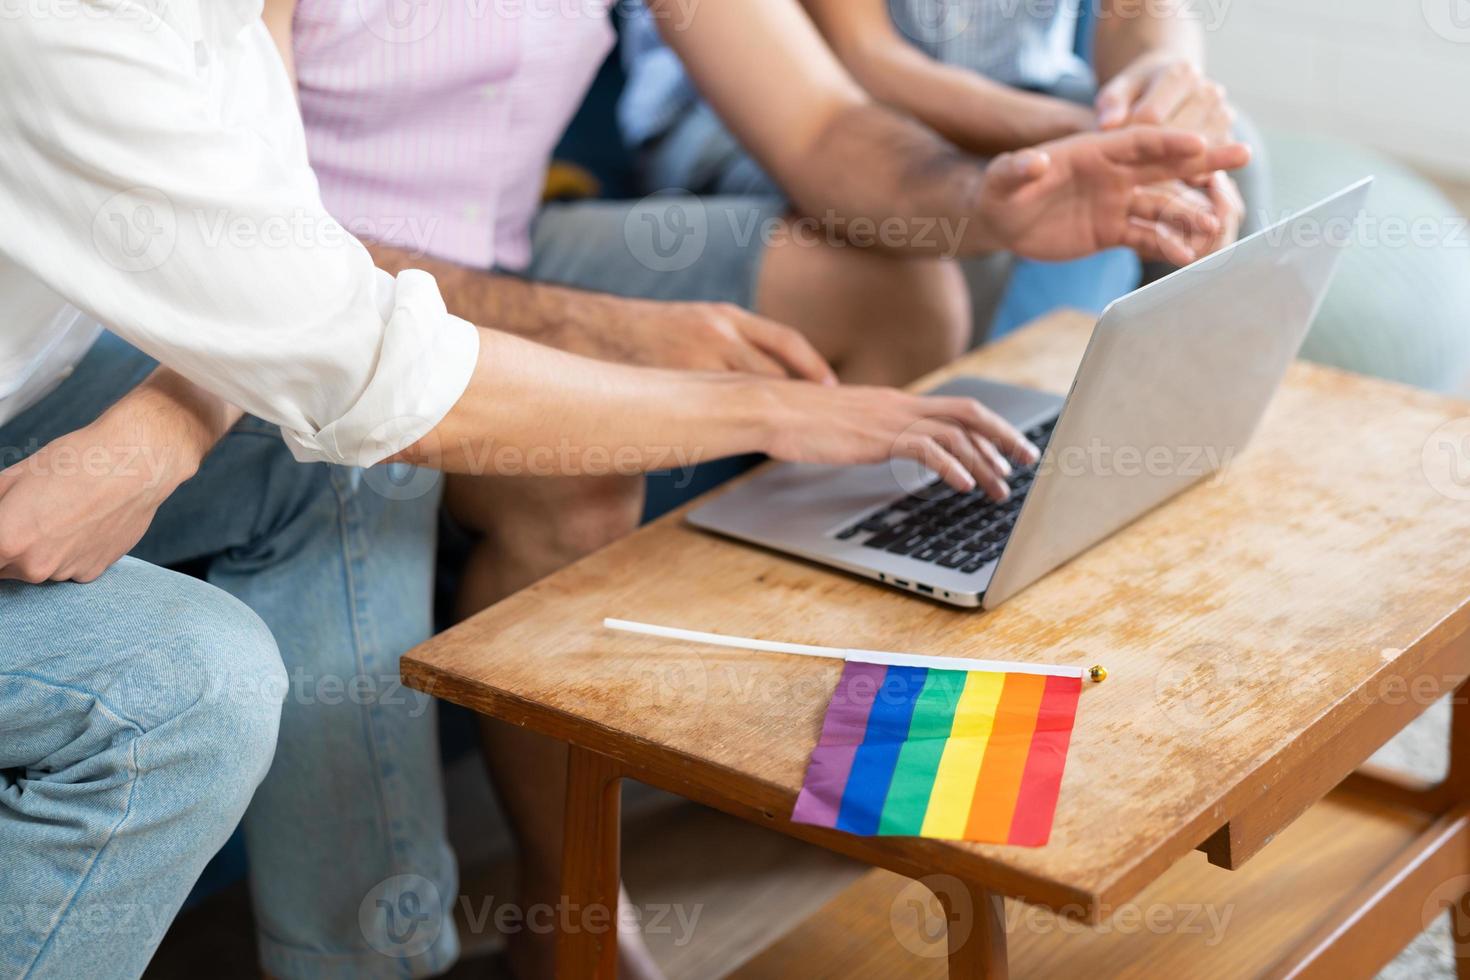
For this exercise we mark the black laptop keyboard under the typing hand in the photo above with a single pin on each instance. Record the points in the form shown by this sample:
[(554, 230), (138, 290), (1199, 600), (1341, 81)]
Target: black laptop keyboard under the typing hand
[(950, 530)]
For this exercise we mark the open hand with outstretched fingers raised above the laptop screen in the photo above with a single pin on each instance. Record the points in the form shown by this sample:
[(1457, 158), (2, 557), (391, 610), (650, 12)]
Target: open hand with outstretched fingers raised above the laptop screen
[(1080, 196)]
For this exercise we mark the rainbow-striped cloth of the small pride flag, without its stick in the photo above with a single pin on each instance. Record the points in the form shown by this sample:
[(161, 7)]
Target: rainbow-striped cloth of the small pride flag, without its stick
[(930, 753)]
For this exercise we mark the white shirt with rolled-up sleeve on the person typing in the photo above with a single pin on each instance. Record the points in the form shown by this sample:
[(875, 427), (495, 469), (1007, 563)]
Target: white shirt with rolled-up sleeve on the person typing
[(155, 181)]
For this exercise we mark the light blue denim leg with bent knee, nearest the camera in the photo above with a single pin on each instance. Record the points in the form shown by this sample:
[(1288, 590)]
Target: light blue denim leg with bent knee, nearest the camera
[(137, 716)]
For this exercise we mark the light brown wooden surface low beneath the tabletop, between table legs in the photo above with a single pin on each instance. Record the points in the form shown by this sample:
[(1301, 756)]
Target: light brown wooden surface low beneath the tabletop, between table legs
[(1196, 922)]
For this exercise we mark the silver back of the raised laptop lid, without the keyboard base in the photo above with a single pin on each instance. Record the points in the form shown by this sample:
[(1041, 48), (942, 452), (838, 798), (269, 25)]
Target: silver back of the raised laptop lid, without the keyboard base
[(1174, 383)]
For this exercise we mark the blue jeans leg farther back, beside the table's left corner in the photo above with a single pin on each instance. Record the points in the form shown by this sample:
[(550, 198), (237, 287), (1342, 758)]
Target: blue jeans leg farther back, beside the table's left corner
[(351, 868)]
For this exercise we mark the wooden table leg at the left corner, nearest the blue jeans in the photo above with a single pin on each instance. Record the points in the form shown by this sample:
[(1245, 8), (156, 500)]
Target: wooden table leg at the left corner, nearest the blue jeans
[(587, 943)]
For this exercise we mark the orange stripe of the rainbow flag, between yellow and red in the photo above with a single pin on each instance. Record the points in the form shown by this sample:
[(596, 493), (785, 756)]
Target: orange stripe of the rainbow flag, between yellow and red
[(1005, 765)]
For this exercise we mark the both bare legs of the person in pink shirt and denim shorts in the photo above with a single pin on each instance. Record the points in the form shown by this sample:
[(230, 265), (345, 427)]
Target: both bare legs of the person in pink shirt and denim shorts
[(878, 320)]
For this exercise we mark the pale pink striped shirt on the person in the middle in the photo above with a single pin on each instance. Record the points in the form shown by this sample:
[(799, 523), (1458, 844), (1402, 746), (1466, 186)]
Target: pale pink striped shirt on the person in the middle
[(431, 123)]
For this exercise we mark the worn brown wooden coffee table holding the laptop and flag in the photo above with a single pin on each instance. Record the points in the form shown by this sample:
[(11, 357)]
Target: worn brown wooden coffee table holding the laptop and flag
[(1266, 633)]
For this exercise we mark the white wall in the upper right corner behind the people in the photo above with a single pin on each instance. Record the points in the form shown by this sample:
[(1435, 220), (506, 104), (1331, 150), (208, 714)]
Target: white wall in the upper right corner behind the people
[(1394, 74)]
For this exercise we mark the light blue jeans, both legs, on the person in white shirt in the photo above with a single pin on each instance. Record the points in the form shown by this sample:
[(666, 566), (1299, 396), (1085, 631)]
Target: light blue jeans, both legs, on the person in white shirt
[(139, 715)]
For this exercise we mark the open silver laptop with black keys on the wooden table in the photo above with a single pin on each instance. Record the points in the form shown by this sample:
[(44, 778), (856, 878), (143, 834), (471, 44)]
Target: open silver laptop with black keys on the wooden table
[(1171, 389)]
